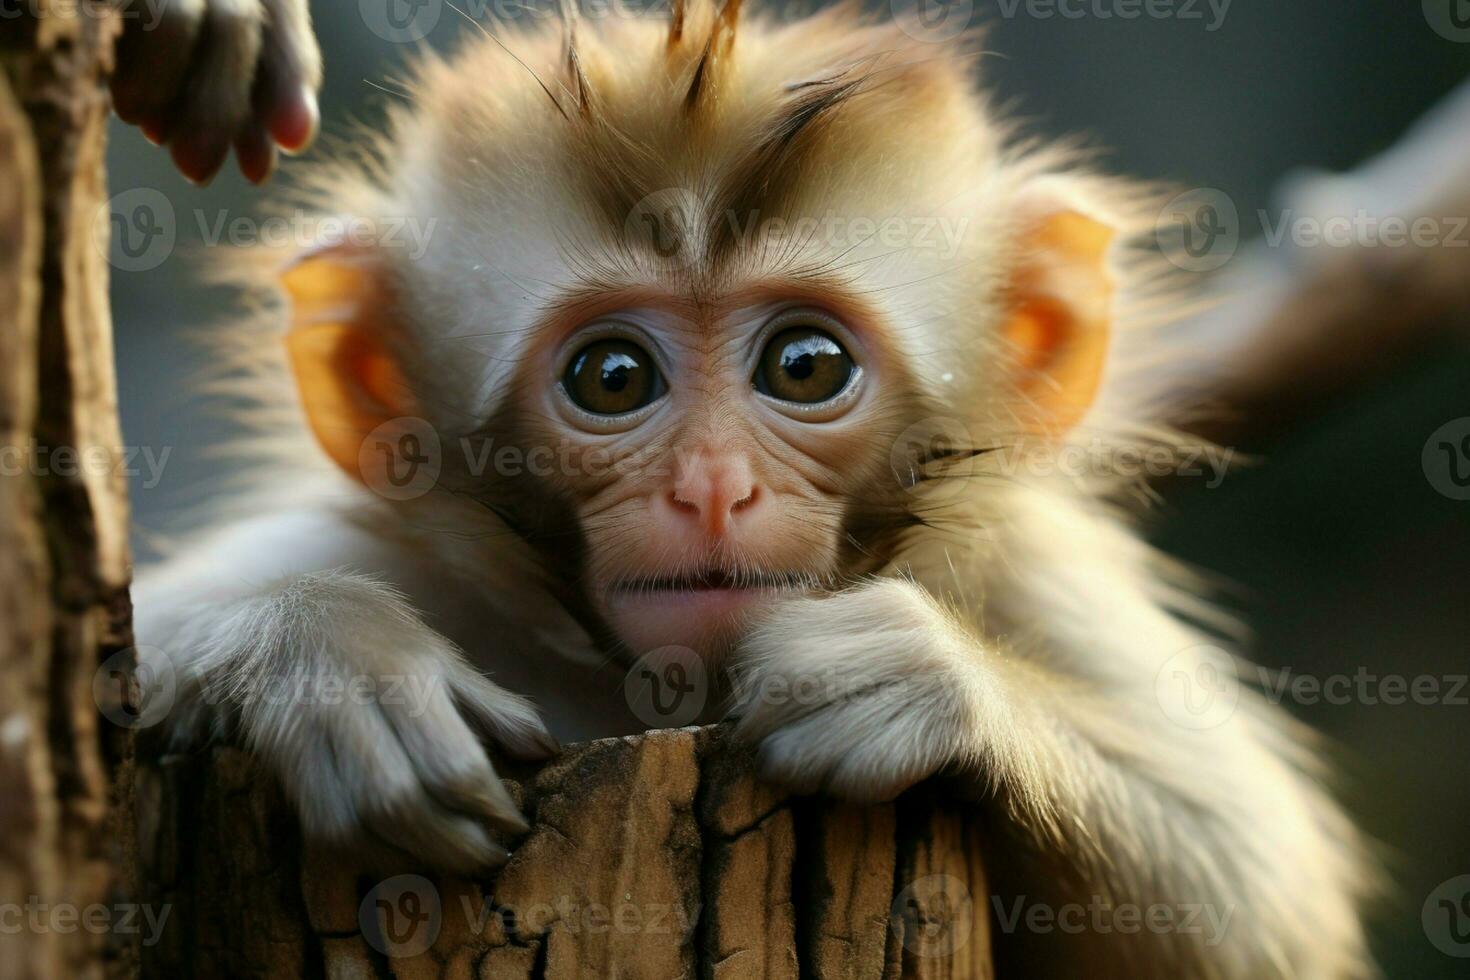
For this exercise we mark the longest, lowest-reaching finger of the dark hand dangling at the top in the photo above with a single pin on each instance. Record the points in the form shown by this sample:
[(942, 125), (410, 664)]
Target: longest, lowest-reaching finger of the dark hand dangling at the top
[(217, 102)]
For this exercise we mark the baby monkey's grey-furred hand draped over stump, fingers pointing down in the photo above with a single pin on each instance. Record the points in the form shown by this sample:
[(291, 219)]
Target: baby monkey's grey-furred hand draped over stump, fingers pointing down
[(371, 719)]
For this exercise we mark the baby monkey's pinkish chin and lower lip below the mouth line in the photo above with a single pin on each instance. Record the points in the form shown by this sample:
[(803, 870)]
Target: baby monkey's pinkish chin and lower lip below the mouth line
[(709, 622)]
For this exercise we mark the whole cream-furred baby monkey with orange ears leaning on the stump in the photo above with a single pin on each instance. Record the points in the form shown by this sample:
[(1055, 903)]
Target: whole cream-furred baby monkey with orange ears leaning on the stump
[(759, 343)]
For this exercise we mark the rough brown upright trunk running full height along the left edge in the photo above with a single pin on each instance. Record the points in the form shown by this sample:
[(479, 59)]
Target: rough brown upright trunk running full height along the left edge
[(64, 558)]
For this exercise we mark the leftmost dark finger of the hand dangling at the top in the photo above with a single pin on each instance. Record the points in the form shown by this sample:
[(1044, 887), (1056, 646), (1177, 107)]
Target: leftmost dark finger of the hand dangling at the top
[(154, 58)]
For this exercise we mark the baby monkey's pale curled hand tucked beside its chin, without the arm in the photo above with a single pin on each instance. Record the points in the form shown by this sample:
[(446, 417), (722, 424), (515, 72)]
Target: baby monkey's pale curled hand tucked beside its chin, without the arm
[(861, 696)]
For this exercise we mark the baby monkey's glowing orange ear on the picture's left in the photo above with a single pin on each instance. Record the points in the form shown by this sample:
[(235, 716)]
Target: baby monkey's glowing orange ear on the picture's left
[(339, 350)]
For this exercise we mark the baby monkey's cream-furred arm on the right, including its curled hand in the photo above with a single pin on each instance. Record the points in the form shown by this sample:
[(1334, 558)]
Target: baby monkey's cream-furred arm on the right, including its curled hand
[(867, 693)]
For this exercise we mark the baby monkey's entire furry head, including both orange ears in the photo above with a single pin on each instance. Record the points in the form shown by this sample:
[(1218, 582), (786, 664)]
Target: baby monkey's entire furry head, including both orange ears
[(709, 305)]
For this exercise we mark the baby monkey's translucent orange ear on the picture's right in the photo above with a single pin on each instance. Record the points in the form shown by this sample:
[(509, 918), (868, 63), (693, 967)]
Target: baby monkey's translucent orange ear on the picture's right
[(1059, 306)]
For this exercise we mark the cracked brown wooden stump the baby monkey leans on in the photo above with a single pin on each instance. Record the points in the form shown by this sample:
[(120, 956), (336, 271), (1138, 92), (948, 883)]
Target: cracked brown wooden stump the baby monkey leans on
[(649, 859)]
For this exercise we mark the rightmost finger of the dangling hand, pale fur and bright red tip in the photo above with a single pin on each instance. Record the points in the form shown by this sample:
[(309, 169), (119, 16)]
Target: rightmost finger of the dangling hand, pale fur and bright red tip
[(289, 76)]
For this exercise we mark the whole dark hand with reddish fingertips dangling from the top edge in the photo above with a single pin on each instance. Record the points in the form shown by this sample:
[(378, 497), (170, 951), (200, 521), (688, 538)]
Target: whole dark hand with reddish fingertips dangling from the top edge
[(204, 76)]
